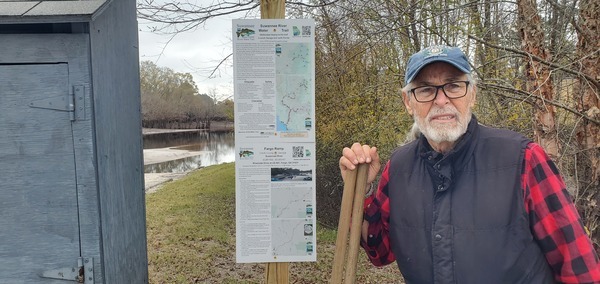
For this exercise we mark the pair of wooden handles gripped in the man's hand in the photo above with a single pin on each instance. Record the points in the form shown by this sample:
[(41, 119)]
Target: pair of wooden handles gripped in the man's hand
[(352, 210)]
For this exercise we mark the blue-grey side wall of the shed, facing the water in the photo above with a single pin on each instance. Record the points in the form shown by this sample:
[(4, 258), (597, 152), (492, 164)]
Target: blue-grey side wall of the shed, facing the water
[(117, 107)]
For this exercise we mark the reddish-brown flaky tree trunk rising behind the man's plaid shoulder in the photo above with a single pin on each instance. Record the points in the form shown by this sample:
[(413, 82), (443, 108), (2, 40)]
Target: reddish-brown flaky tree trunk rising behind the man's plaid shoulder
[(538, 79)]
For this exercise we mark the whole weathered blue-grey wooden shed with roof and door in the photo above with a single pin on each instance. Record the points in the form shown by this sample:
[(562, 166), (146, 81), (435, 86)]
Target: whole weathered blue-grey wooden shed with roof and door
[(71, 164)]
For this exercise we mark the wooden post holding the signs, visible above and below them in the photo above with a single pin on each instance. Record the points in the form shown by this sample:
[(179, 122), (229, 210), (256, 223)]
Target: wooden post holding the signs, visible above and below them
[(275, 272)]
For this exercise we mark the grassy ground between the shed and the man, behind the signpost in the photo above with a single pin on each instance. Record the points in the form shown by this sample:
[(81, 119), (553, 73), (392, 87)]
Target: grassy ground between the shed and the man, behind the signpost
[(191, 237)]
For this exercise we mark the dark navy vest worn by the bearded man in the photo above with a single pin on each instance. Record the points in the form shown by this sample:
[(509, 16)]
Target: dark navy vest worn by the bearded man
[(460, 217)]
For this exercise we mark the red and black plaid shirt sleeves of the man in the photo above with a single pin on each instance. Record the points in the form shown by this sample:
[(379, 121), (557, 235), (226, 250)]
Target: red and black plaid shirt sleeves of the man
[(553, 218)]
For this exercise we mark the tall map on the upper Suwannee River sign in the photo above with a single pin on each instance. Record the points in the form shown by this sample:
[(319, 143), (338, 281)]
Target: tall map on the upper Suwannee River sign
[(294, 87)]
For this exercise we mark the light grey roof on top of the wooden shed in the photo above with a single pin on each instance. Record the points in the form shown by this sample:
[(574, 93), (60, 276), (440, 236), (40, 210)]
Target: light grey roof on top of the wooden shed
[(49, 8)]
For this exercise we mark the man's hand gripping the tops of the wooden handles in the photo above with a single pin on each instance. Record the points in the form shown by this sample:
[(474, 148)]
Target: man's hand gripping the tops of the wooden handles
[(358, 154)]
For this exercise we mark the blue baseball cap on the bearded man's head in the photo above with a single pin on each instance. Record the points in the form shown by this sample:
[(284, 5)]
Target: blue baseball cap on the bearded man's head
[(448, 54)]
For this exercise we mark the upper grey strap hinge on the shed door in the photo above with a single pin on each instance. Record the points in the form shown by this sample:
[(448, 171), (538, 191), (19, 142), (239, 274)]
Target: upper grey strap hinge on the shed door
[(74, 103)]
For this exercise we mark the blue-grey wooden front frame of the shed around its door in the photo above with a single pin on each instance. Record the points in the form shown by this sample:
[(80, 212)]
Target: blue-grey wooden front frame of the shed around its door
[(73, 49)]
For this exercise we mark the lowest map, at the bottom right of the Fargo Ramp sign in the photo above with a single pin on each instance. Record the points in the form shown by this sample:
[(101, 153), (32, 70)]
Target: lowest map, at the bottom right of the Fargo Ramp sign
[(294, 237)]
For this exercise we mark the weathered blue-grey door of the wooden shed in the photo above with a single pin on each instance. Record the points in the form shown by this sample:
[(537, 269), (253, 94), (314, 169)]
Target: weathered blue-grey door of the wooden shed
[(39, 228)]
